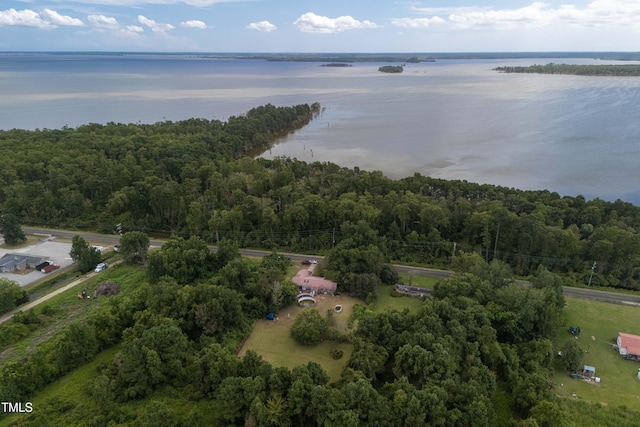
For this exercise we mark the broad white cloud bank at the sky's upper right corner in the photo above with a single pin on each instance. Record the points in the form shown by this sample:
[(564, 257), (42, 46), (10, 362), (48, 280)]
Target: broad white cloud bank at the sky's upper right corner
[(597, 13)]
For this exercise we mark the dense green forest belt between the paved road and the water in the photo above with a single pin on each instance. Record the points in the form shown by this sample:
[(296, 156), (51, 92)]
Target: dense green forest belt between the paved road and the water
[(192, 178)]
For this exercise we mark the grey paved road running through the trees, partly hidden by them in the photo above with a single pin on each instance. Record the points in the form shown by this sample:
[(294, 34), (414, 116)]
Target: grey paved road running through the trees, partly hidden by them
[(610, 297)]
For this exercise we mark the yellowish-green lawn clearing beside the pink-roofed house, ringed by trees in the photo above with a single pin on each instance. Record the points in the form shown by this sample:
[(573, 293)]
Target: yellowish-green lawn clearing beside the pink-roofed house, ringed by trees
[(271, 339)]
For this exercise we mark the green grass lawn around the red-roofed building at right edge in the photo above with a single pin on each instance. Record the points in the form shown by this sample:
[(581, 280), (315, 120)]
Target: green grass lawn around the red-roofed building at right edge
[(600, 324)]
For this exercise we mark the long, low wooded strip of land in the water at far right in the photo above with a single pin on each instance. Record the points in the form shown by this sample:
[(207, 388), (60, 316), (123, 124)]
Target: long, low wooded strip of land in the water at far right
[(576, 70)]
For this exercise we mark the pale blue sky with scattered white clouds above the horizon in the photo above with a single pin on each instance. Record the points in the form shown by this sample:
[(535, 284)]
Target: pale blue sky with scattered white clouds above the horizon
[(319, 25)]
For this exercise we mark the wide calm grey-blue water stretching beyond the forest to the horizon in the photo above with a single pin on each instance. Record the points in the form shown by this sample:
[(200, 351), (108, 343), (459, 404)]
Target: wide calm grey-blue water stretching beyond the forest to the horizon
[(453, 119)]
